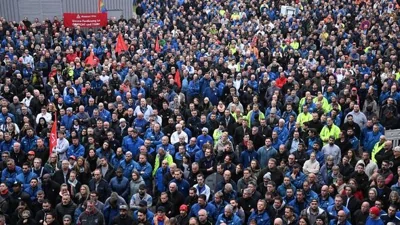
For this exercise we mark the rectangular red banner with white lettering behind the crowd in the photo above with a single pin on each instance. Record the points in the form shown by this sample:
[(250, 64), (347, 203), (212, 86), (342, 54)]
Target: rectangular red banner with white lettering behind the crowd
[(85, 19)]
